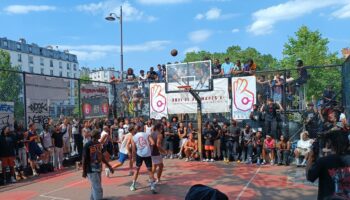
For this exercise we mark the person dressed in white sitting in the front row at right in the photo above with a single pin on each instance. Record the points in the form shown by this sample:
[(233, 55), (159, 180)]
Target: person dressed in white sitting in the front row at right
[(303, 148)]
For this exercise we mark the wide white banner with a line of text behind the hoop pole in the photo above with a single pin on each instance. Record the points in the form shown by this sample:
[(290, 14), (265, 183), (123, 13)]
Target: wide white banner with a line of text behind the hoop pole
[(216, 101)]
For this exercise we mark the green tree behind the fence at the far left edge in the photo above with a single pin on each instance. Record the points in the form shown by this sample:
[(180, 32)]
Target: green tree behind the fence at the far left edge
[(11, 84)]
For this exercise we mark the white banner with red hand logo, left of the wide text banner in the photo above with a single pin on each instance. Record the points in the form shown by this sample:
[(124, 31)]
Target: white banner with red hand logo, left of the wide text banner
[(158, 101)]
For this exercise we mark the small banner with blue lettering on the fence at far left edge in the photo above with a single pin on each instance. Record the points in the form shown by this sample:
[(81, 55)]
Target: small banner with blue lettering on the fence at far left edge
[(6, 114)]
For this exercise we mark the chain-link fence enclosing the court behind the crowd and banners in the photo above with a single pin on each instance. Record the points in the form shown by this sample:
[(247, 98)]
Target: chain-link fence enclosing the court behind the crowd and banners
[(36, 97)]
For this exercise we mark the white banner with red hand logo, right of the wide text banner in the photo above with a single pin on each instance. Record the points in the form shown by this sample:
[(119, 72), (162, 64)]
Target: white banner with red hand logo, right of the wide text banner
[(243, 96)]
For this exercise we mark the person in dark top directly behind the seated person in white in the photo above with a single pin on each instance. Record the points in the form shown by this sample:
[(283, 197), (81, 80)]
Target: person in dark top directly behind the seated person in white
[(311, 120)]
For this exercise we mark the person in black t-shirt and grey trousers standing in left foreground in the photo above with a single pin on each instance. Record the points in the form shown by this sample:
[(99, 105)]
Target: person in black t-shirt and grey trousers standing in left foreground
[(92, 165)]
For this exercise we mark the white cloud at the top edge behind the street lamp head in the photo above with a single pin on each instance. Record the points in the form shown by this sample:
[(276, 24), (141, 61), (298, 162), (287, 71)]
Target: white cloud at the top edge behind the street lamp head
[(130, 13)]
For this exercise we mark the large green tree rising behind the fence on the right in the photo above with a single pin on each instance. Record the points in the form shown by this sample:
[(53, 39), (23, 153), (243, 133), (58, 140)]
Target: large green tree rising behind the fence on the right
[(312, 48)]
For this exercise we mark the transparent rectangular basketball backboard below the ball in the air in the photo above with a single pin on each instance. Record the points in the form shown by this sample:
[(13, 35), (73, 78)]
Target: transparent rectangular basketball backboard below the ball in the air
[(194, 74)]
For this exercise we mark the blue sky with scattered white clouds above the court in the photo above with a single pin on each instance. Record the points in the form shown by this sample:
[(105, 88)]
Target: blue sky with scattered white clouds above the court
[(152, 28)]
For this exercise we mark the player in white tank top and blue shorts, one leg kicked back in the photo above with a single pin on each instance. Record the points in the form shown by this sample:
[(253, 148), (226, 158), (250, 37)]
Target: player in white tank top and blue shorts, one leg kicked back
[(125, 149)]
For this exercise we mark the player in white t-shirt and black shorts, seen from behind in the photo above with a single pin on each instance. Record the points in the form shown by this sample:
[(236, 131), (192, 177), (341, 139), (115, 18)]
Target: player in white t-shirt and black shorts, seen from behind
[(141, 148)]
